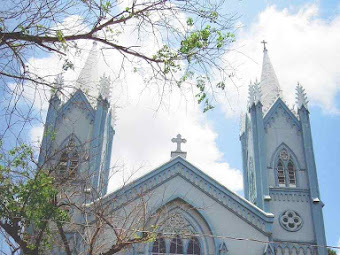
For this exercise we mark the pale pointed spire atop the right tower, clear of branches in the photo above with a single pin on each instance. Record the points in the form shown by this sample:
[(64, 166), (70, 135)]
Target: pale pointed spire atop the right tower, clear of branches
[(269, 84)]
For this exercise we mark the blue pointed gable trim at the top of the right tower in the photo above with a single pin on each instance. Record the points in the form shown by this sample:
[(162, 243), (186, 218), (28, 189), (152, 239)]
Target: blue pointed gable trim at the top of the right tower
[(280, 107)]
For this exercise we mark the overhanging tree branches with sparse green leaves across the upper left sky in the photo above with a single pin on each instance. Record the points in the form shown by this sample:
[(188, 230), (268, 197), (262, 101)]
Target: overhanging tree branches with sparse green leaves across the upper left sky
[(190, 38)]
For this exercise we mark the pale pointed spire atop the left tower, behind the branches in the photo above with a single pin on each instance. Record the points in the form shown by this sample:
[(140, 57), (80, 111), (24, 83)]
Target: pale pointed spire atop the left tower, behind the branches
[(88, 77)]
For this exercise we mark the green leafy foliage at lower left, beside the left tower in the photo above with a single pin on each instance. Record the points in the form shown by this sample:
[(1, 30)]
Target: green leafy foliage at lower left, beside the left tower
[(27, 199)]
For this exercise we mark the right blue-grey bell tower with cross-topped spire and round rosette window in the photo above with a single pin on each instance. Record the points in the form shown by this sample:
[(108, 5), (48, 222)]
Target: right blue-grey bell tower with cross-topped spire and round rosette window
[(279, 168)]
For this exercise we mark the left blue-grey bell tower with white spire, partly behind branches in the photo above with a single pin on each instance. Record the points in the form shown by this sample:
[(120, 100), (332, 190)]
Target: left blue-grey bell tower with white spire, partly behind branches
[(77, 141)]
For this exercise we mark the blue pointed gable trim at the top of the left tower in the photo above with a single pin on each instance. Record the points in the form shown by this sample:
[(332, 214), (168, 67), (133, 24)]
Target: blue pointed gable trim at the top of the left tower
[(79, 101)]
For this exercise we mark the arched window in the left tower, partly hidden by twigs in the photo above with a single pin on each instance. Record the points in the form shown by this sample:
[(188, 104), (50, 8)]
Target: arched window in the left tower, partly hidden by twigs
[(68, 164)]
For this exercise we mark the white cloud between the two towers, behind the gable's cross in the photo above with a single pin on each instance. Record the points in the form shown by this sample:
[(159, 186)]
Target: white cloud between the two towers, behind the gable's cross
[(145, 128)]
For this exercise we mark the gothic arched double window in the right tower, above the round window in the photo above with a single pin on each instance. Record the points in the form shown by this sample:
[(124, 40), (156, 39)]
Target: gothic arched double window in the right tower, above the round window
[(285, 170)]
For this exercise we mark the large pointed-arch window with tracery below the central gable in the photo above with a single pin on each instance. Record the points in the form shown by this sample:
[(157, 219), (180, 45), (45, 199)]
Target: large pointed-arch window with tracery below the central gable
[(184, 231)]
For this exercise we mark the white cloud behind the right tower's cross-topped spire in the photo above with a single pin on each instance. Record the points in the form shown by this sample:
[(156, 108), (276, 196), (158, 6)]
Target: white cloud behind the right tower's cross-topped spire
[(303, 48)]
